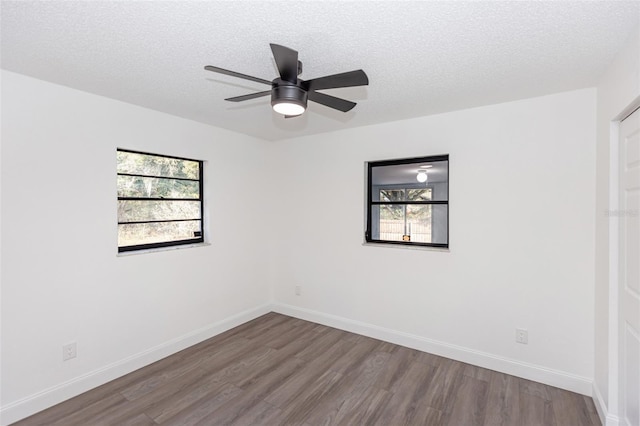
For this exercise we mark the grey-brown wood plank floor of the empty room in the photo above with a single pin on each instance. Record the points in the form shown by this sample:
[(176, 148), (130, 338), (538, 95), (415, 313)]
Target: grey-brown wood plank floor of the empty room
[(277, 370)]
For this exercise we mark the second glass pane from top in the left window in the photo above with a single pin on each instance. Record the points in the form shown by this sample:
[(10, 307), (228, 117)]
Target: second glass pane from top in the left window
[(144, 187)]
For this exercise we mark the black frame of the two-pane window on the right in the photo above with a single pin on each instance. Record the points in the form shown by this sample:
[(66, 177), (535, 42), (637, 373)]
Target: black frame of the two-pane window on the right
[(370, 203)]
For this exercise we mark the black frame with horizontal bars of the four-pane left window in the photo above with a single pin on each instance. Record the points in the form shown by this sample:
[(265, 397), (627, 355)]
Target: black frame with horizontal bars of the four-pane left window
[(200, 180)]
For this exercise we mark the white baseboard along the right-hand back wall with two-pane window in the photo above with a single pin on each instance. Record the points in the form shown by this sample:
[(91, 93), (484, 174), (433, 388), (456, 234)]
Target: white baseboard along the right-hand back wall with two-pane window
[(537, 373)]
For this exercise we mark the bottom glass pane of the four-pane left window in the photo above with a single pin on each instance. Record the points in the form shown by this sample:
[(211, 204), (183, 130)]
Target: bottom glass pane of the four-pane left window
[(149, 233)]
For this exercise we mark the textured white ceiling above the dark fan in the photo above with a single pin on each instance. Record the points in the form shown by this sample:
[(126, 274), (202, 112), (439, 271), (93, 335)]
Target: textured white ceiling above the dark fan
[(421, 57)]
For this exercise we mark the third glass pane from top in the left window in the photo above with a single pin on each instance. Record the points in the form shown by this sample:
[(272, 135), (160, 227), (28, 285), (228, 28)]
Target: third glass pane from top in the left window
[(142, 210)]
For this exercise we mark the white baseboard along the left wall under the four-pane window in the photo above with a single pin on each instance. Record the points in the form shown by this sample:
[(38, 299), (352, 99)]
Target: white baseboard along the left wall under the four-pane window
[(27, 406)]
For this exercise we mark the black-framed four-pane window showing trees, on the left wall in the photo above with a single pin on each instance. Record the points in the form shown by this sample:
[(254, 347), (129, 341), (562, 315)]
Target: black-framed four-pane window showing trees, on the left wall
[(159, 201)]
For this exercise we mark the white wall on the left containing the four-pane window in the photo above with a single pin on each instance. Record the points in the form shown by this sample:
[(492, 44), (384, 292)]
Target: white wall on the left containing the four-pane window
[(62, 280)]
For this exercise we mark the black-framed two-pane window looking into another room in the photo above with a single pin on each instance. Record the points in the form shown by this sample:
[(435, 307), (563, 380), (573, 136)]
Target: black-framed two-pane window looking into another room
[(408, 201)]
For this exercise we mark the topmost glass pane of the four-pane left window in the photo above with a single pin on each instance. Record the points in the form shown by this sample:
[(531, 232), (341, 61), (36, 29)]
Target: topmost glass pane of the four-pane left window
[(152, 165)]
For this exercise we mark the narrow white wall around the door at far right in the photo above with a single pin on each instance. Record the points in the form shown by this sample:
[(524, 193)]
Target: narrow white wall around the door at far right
[(617, 90)]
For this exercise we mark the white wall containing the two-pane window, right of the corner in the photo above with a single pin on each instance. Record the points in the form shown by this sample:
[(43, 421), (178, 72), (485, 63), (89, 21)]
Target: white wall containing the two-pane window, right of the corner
[(522, 178)]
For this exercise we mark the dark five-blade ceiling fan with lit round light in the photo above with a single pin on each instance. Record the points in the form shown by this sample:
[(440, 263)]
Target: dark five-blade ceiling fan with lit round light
[(289, 94)]
